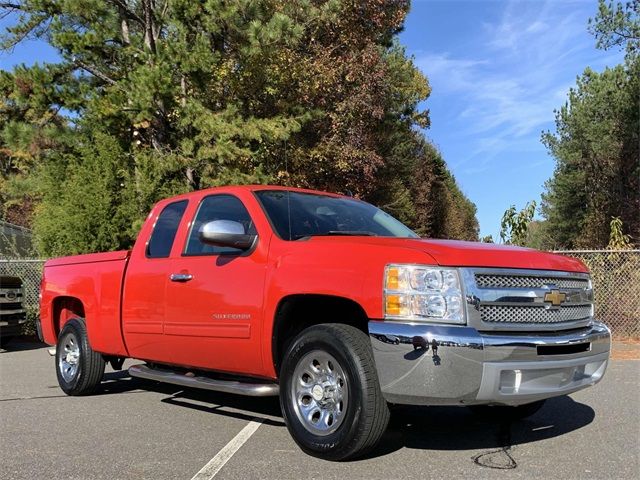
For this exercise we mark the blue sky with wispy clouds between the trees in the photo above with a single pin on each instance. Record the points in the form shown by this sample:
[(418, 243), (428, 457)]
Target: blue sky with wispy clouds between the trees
[(498, 69)]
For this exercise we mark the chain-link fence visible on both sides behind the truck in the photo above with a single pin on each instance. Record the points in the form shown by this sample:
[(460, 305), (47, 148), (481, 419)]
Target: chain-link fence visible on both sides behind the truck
[(615, 275)]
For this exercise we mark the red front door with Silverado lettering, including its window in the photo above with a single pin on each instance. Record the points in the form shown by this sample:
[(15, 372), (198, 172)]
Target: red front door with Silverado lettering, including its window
[(214, 295)]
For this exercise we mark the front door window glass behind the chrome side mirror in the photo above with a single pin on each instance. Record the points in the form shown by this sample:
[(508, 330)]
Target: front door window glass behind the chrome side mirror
[(217, 207)]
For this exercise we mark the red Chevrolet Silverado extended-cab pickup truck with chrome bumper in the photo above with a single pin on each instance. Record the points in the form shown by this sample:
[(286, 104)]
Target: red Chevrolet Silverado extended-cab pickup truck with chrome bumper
[(331, 304)]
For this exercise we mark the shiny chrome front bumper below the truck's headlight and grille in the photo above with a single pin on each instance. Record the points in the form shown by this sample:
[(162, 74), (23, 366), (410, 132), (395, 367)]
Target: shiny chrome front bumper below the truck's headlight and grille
[(468, 367)]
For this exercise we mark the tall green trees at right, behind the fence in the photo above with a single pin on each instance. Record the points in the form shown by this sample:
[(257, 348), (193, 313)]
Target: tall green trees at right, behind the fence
[(597, 144)]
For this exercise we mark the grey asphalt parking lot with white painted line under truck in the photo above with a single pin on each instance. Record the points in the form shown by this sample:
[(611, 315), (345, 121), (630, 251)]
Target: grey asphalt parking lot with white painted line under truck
[(137, 429)]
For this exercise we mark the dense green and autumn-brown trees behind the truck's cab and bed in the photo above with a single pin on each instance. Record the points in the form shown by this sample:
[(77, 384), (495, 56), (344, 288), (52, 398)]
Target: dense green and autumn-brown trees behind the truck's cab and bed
[(157, 97)]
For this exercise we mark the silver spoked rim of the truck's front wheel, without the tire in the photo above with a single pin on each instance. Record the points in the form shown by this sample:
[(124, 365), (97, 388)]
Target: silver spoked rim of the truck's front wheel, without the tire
[(319, 392)]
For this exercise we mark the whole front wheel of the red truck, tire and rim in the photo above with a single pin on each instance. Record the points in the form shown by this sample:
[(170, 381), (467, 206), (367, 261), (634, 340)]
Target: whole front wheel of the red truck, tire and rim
[(329, 393)]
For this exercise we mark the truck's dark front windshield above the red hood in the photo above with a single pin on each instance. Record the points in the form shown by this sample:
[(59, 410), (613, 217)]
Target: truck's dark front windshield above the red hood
[(297, 215)]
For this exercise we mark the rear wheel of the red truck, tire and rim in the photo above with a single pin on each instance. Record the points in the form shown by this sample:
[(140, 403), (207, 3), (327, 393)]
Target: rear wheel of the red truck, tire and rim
[(78, 367)]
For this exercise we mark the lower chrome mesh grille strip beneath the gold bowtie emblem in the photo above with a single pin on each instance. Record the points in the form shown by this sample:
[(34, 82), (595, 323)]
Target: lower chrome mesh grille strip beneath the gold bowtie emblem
[(511, 314)]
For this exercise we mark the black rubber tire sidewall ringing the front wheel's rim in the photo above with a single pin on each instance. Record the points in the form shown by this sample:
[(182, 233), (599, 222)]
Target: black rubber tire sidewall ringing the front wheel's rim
[(317, 338)]
